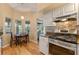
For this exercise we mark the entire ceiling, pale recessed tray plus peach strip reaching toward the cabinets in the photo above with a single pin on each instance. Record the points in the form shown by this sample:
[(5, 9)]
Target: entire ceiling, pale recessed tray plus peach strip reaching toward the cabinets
[(34, 7)]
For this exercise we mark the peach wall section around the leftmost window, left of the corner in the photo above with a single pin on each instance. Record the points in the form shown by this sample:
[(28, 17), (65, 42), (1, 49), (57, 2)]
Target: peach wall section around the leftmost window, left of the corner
[(5, 11)]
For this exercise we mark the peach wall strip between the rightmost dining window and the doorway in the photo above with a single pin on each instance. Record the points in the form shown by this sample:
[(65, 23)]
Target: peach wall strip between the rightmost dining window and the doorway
[(33, 30)]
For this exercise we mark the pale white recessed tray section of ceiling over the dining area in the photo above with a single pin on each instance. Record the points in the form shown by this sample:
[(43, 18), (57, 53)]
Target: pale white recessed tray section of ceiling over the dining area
[(24, 7)]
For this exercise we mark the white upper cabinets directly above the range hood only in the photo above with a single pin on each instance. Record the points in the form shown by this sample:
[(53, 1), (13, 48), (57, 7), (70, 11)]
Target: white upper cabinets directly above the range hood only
[(64, 10)]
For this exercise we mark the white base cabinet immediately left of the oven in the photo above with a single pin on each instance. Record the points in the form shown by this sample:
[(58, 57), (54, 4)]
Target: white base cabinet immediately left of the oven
[(43, 45)]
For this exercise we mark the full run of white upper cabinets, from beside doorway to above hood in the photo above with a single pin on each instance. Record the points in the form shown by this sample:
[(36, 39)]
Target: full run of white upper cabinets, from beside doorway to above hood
[(66, 9)]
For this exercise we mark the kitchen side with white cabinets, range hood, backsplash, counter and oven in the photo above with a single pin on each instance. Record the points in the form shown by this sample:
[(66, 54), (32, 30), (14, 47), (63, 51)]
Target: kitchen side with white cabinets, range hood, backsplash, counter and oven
[(62, 37)]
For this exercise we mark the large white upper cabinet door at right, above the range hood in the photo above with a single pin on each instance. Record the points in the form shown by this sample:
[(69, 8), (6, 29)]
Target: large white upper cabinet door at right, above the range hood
[(68, 8)]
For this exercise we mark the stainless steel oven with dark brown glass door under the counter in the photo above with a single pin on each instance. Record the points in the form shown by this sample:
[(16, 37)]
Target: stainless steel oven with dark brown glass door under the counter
[(58, 47)]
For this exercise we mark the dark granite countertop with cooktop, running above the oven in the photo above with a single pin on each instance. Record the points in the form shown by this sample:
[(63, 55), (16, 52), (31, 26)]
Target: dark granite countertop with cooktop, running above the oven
[(73, 38)]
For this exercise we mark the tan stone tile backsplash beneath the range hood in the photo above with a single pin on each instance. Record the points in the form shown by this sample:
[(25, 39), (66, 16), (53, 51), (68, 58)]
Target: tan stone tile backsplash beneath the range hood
[(67, 25)]
